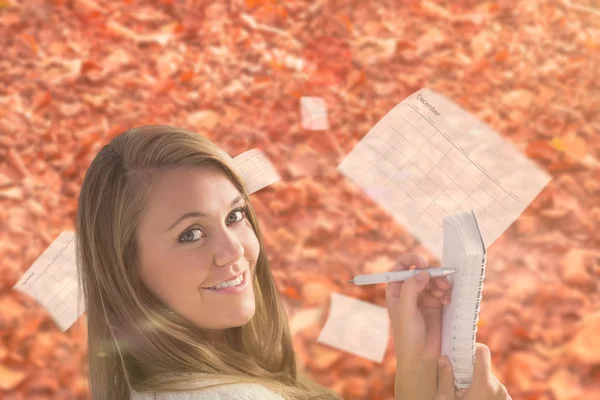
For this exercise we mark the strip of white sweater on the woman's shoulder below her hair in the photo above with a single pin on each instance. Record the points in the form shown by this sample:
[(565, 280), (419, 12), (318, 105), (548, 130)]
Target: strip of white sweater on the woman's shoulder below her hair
[(238, 391)]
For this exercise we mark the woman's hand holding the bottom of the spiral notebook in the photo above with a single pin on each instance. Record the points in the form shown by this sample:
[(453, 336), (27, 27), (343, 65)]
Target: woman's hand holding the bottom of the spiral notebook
[(485, 385)]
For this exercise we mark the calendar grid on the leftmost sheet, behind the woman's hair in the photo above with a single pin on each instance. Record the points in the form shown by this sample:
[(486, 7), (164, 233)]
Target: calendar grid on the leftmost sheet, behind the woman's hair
[(56, 287)]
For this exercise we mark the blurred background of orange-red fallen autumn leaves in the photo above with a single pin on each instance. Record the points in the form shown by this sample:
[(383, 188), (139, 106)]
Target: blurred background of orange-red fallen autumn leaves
[(75, 73)]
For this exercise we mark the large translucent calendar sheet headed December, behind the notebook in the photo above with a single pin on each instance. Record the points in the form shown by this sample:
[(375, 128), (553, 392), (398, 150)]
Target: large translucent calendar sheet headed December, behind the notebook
[(428, 158)]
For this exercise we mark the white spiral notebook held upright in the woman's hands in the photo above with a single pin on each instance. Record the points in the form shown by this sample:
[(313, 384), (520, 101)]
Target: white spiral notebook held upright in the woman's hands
[(463, 249)]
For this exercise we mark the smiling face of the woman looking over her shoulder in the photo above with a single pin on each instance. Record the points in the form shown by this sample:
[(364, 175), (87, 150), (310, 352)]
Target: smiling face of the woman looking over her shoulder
[(181, 258)]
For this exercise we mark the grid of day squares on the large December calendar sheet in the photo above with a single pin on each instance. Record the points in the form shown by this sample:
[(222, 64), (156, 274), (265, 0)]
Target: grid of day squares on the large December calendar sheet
[(426, 177)]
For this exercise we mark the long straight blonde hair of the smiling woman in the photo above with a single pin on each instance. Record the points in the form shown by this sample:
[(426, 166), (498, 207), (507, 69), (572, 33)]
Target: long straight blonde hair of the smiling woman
[(135, 342)]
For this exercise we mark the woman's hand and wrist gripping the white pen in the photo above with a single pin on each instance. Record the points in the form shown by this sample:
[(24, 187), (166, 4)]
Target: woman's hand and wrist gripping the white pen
[(415, 309)]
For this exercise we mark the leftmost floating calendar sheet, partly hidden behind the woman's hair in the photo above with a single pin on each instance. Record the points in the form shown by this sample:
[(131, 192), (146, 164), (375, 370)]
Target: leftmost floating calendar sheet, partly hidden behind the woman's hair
[(53, 281)]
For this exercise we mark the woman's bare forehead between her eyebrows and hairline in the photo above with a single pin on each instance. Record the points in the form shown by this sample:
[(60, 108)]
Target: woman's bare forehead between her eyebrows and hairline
[(205, 189)]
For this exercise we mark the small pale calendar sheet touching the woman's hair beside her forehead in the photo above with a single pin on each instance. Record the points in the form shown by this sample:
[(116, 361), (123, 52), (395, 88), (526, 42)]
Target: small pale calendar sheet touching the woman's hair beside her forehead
[(256, 170)]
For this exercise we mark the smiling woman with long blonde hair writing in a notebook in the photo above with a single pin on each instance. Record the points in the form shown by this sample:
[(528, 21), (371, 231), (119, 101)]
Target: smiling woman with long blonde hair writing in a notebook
[(163, 221)]
